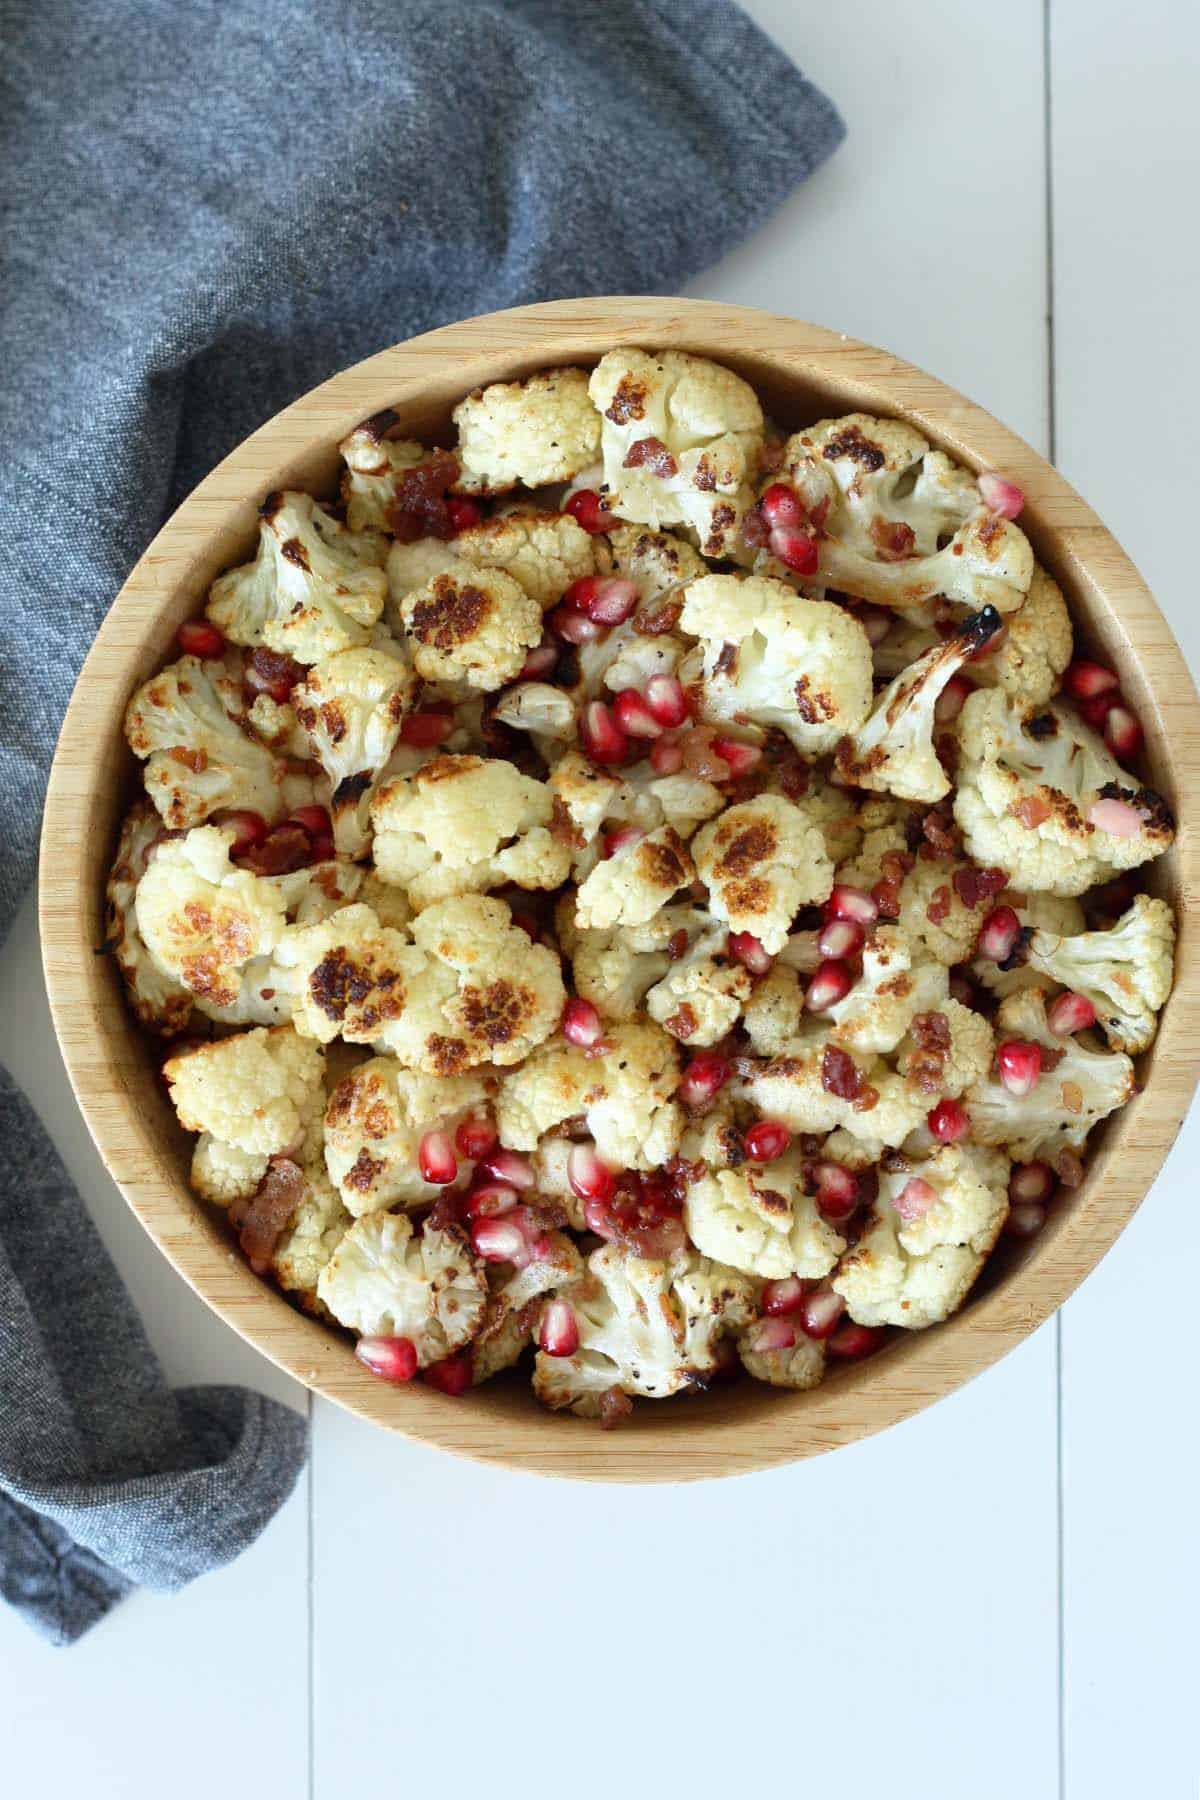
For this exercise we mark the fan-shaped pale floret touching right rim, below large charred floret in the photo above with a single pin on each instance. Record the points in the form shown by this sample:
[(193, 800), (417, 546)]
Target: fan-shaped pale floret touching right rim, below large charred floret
[(1125, 971)]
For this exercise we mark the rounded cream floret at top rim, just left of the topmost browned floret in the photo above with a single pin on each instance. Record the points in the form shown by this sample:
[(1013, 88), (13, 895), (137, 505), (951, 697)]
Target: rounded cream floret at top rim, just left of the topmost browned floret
[(535, 433)]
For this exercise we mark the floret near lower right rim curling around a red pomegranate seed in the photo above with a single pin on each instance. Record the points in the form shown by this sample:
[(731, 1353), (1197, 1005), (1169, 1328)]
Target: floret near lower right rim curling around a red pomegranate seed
[(1080, 1088)]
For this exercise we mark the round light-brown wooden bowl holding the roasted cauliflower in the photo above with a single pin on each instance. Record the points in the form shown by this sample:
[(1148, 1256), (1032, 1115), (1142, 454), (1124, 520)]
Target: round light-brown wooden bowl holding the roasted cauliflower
[(803, 373)]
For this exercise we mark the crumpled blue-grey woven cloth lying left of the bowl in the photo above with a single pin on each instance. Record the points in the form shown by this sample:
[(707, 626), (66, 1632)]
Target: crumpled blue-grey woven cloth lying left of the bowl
[(211, 208)]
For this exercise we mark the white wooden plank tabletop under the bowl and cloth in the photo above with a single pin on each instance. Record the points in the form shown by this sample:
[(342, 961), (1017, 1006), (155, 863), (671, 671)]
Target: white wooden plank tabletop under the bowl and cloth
[(996, 1599)]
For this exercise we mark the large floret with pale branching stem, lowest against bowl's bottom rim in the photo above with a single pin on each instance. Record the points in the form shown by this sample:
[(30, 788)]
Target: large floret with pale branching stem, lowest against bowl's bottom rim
[(645, 1327)]
